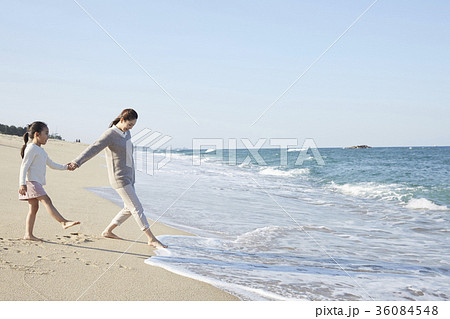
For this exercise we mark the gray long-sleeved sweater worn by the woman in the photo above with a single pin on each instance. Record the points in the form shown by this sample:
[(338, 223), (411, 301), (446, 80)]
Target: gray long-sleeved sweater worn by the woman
[(119, 156)]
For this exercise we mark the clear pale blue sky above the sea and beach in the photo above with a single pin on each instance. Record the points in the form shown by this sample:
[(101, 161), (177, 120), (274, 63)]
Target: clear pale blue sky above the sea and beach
[(385, 83)]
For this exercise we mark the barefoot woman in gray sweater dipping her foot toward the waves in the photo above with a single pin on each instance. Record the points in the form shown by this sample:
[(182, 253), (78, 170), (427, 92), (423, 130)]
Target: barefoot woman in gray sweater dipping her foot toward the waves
[(119, 159)]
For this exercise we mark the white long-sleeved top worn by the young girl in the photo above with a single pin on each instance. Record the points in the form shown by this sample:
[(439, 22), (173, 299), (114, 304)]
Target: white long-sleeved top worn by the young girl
[(34, 164)]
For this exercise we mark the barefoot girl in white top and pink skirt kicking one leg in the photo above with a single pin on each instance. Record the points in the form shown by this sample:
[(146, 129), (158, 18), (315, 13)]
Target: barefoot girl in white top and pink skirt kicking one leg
[(32, 178)]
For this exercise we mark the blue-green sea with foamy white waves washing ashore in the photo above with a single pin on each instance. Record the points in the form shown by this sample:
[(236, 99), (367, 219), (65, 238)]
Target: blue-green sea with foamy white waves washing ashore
[(370, 224)]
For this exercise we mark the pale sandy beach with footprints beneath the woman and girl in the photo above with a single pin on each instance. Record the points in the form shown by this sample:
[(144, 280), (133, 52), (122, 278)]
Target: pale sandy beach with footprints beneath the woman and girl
[(77, 263)]
